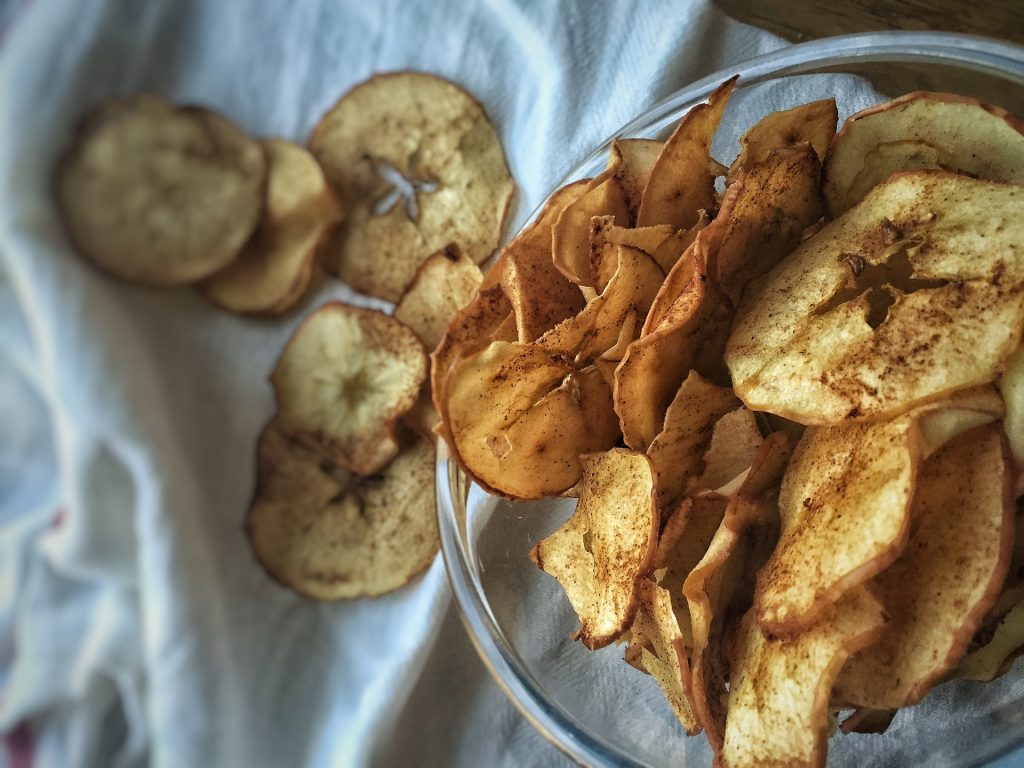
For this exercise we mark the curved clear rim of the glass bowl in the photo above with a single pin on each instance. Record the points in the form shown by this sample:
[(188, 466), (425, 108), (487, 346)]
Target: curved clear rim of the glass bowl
[(557, 726)]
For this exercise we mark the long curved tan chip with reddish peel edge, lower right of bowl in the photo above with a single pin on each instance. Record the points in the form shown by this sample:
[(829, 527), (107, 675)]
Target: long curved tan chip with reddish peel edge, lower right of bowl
[(948, 577)]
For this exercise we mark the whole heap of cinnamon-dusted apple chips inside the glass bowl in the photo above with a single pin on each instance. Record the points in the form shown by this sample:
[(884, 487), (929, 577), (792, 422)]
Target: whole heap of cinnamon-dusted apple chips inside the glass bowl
[(791, 408)]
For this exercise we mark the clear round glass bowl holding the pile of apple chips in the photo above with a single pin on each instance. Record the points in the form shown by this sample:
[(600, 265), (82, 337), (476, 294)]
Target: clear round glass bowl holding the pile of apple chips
[(593, 706)]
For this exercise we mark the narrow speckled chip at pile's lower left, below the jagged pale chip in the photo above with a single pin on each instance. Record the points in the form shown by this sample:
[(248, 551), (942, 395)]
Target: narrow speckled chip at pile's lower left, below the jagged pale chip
[(658, 645)]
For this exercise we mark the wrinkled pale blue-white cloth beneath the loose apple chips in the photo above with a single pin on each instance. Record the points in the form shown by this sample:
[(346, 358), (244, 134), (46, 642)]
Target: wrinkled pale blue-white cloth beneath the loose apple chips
[(136, 627)]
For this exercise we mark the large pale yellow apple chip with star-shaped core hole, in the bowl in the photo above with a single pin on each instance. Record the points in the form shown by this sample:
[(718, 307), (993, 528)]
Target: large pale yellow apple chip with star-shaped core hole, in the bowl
[(911, 295)]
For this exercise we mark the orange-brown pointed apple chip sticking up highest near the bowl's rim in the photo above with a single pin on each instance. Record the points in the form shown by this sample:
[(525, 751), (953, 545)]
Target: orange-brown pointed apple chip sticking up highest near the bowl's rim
[(681, 183)]
